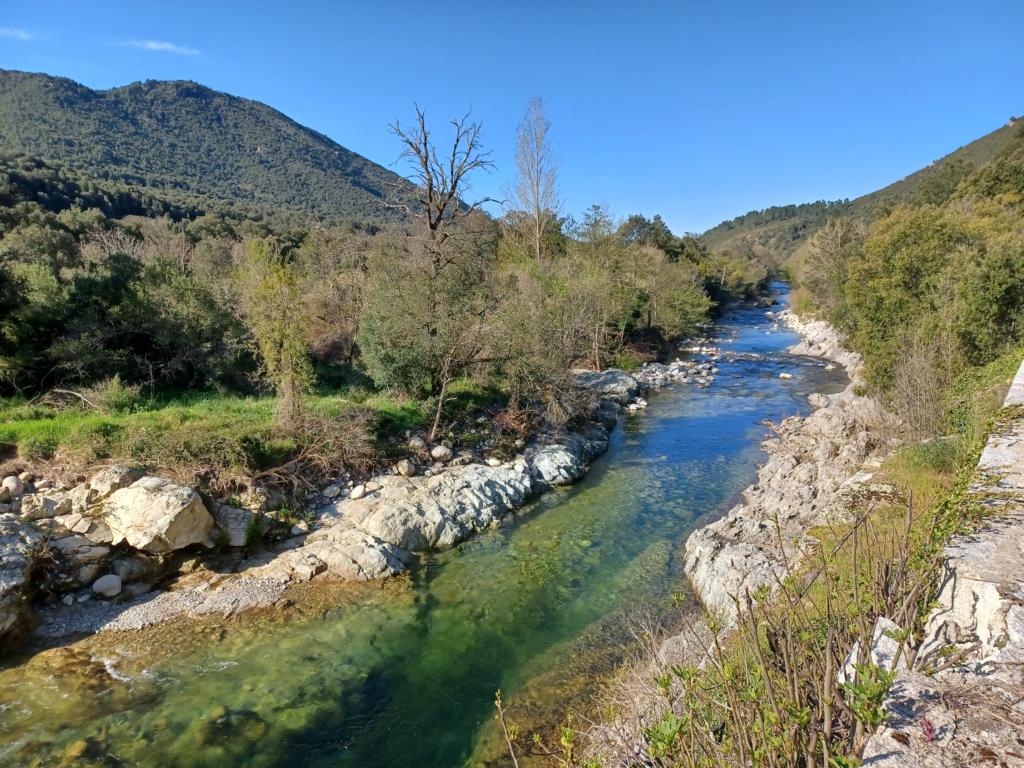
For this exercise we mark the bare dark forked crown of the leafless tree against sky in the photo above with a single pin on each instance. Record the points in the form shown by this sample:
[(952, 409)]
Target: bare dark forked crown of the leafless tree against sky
[(442, 180)]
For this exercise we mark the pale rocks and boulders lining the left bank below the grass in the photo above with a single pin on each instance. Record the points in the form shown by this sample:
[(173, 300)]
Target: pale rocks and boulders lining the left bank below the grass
[(124, 550)]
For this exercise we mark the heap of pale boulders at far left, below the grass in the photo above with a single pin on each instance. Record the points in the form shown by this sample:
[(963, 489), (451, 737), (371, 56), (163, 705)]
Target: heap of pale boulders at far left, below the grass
[(110, 537)]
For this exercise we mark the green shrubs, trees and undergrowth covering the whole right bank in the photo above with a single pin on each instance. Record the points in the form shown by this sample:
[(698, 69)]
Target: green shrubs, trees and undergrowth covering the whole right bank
[(929, 292)]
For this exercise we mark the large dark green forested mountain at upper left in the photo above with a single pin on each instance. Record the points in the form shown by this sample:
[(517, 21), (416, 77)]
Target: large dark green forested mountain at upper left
[(185, 142)]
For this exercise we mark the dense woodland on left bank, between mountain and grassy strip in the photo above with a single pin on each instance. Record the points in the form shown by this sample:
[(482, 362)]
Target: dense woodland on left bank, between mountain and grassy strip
[(118, 297)]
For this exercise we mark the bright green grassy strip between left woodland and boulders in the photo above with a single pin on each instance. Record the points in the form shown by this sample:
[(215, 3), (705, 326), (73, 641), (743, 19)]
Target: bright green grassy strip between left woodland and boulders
[(212, 439)]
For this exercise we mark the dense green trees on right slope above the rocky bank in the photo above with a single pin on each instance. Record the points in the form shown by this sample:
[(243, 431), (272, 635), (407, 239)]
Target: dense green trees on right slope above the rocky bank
[(930, 287)]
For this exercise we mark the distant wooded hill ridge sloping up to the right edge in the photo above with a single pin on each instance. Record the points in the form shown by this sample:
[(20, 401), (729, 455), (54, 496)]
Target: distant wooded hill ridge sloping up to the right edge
[(778, 232)]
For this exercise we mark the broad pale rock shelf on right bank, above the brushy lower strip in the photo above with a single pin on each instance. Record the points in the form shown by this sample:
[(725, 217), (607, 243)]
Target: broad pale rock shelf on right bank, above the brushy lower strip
[(817, 466)]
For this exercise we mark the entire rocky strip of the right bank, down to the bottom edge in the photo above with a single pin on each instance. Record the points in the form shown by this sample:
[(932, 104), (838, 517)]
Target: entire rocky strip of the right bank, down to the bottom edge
[(818, 467)]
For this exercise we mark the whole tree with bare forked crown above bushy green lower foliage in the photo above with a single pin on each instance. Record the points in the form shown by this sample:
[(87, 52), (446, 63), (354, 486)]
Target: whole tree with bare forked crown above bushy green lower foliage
[(426, 312)]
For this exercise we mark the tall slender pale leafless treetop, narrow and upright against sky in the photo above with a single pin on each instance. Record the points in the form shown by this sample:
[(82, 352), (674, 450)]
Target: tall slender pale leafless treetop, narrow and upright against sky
[(535, 193)]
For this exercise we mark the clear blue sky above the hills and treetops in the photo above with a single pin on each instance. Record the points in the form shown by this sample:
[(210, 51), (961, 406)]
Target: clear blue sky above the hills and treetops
[(698, 111)]
